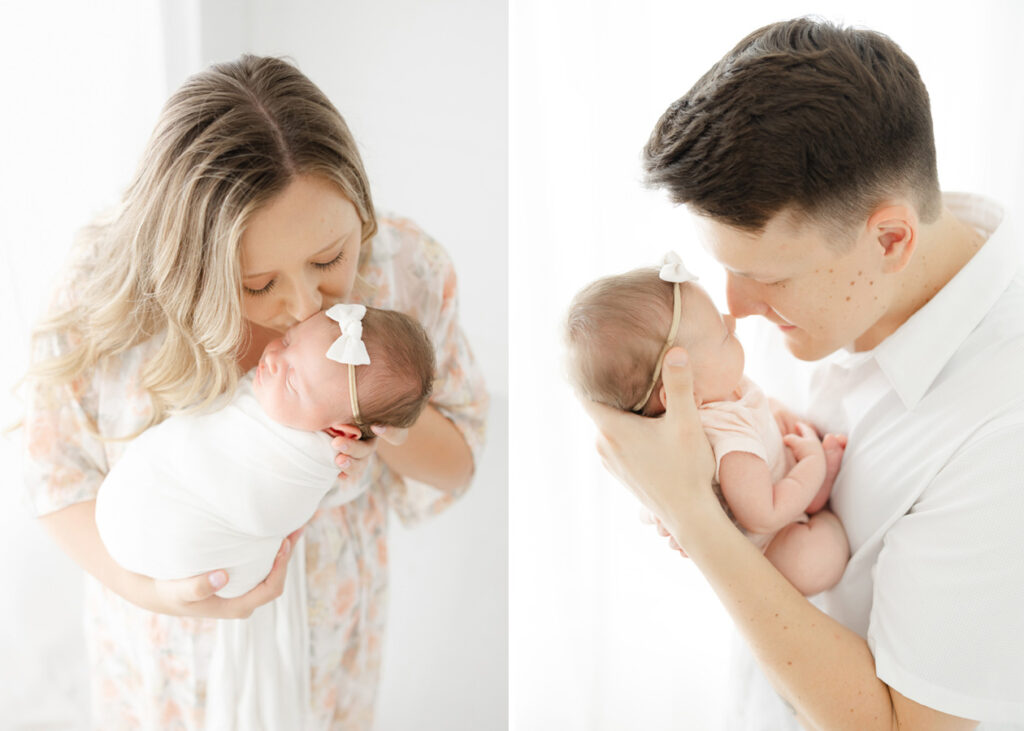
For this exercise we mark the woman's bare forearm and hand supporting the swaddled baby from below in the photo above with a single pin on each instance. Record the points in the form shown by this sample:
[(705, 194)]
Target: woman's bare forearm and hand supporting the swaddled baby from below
[(74, 530)]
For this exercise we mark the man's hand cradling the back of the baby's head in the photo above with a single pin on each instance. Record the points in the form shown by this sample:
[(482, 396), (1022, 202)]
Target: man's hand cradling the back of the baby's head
[(666, 462)]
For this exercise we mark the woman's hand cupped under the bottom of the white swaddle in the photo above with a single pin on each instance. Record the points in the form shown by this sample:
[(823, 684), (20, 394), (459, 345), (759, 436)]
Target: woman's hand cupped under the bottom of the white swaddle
[(197, 596)]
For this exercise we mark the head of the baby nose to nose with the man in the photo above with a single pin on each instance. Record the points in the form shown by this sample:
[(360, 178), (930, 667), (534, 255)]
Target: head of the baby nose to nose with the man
[(619, 326)]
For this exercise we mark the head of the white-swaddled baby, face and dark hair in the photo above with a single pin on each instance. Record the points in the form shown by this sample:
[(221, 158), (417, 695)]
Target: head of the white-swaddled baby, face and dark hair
[(300, 386)]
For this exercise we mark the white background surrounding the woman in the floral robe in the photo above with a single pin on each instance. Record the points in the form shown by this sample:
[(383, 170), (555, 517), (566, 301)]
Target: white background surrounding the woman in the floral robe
[(423, 88)]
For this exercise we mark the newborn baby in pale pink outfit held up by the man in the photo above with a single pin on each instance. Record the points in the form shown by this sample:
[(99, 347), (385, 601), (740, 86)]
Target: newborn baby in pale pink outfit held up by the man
[(619, 331)]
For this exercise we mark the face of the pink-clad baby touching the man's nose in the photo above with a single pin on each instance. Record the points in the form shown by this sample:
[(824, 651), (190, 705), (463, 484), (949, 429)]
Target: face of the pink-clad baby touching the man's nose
[(710, 339)]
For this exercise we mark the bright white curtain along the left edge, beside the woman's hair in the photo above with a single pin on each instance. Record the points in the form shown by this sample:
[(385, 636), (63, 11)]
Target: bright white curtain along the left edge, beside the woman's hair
[(83, 85)]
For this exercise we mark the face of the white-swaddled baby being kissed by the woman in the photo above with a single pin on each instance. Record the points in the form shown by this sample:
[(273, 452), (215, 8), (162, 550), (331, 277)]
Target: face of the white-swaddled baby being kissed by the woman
[(297, 385)]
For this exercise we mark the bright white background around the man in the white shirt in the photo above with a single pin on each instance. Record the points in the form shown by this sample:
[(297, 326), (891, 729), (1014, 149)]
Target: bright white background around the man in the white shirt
[(609, 629)]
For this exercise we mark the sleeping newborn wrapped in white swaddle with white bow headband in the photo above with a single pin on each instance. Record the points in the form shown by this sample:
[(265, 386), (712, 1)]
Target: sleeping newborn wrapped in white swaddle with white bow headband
[(222, 491)]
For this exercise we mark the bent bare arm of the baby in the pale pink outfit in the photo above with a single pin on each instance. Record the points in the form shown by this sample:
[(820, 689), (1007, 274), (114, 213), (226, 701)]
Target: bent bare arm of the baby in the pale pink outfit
[(762, 507)]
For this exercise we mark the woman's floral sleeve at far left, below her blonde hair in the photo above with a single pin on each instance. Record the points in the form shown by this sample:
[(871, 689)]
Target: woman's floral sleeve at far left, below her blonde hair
[(65, 461)]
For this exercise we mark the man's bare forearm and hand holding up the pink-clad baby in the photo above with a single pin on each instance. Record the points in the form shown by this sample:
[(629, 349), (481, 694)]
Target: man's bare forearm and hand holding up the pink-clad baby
[(826, 671)]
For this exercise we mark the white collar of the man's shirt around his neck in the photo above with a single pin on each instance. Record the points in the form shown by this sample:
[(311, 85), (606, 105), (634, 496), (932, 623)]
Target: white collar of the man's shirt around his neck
[(915, 355)]
